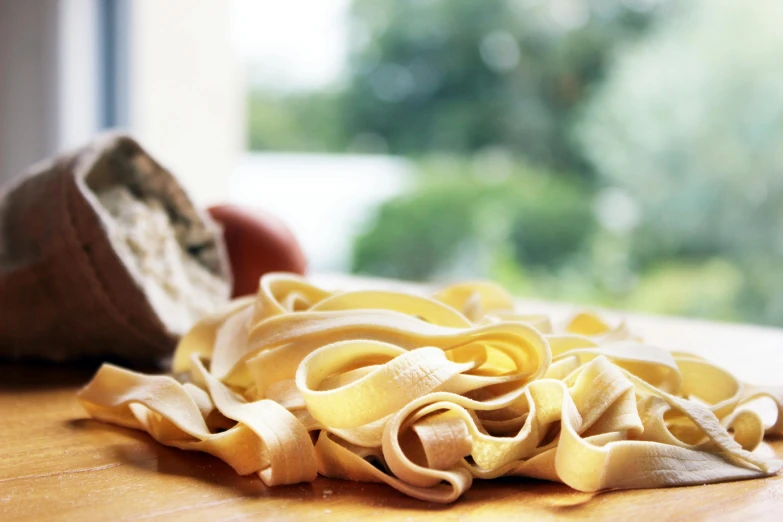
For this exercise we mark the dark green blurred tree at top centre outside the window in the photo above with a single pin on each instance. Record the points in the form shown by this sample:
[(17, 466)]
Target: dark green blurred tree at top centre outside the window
[(458, 76)]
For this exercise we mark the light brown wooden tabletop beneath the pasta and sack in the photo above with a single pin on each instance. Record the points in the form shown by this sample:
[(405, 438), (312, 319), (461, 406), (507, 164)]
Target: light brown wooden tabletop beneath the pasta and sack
[(56, 464)]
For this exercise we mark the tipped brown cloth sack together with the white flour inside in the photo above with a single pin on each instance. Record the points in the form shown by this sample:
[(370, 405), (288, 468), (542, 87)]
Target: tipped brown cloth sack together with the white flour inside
[(103, 255)]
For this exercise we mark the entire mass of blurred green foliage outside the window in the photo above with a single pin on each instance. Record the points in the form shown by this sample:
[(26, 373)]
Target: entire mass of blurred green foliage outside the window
[(619, 153)]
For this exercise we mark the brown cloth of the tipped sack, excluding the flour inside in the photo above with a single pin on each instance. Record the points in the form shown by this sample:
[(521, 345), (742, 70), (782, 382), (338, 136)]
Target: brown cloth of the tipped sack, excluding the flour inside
[(65, 292)]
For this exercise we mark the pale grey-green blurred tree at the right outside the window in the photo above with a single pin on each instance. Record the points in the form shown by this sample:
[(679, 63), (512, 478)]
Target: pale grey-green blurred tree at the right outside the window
[(690, 126)]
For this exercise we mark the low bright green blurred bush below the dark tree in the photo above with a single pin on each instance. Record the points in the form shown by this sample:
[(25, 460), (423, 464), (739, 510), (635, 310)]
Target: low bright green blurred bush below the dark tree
[(460, 219)]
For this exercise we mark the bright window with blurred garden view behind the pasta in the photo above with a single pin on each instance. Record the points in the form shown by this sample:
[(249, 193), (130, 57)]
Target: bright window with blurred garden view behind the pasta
[(623, 153)]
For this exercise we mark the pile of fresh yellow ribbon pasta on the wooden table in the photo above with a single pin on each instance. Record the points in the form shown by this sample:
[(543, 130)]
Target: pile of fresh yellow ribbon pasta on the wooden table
[(427, 393)]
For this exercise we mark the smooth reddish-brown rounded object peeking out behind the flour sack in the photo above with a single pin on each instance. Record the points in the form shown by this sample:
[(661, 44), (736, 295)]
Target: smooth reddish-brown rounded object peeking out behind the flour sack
[(257, 243)]
